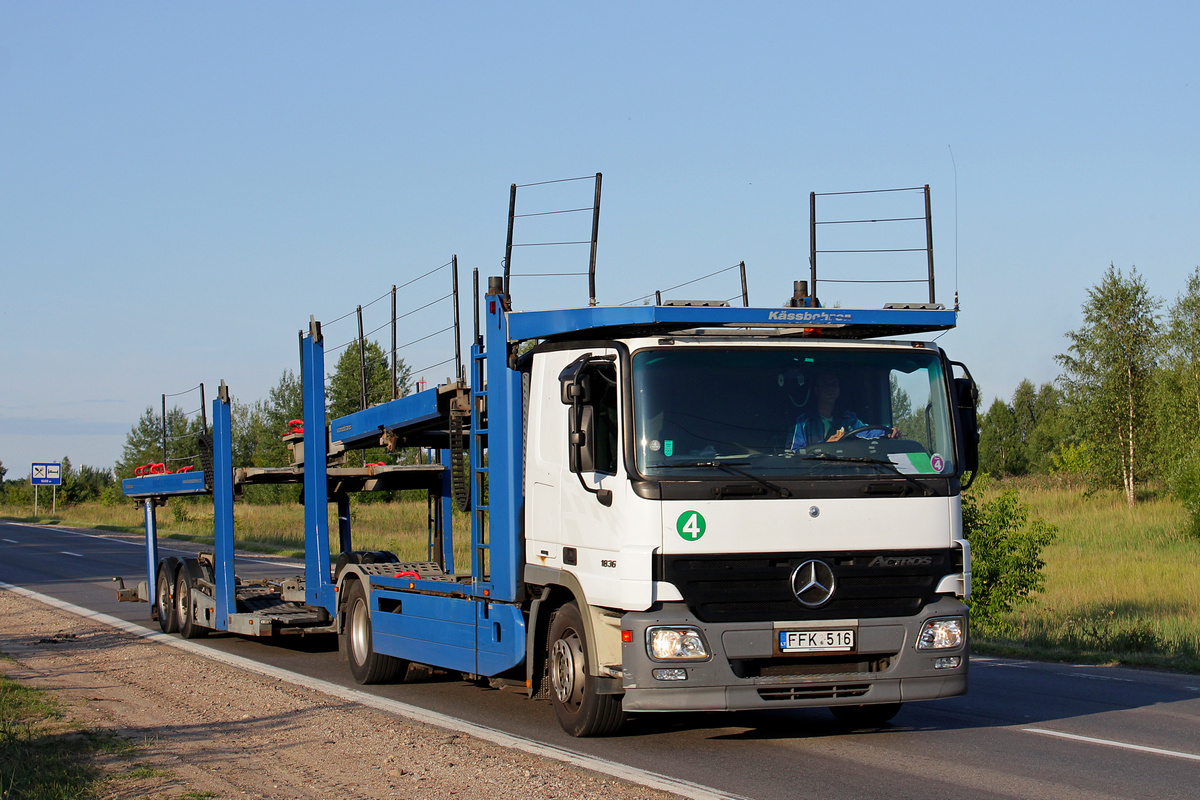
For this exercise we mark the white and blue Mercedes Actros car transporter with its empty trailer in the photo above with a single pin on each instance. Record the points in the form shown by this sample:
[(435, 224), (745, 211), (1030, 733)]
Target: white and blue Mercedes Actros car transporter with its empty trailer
[(674, 508)]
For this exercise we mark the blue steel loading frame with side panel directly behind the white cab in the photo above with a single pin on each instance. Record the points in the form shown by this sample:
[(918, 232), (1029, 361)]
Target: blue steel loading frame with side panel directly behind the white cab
[(431, 615)]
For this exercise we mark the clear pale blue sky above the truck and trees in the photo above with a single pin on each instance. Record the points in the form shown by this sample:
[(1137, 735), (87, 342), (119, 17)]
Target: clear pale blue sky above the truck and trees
[(182, 185)]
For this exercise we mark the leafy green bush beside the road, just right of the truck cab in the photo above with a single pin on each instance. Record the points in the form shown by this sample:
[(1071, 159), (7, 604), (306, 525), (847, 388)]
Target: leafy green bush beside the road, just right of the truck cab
[(1006, 555)]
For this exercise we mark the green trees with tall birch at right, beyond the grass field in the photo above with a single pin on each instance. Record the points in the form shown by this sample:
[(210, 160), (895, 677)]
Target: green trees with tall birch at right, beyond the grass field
[(1126, 408)]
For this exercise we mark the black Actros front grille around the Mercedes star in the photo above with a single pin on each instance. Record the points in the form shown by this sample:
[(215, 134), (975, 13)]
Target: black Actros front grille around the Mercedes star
[(759, 587)]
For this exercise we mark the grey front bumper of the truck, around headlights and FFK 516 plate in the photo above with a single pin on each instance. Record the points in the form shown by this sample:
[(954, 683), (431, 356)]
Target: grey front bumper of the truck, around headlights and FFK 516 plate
[(747, 671)]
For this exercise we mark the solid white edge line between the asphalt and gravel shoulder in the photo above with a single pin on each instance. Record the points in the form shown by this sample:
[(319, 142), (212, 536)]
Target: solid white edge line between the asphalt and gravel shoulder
[(605, 767)]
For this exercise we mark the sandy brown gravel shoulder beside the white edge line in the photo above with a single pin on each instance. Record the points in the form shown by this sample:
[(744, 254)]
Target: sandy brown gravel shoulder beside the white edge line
[(205, 729)]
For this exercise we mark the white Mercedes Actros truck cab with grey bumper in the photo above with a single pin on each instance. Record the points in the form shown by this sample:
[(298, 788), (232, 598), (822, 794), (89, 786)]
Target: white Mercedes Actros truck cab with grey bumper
[(735, 538)]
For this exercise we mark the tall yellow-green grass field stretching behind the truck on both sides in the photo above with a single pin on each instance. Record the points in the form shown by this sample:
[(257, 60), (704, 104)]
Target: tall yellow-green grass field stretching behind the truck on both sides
[(1123, 585)]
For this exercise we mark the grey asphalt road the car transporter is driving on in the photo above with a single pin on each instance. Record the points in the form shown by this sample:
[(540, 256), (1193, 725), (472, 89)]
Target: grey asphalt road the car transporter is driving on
[(1025, 730)]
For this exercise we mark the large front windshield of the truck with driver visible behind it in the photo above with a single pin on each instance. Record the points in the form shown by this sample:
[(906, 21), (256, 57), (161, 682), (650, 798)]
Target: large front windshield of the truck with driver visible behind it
[(791, 412)]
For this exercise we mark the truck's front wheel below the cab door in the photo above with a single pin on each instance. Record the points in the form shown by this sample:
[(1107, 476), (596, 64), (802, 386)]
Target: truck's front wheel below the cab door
[(581, 712)]
